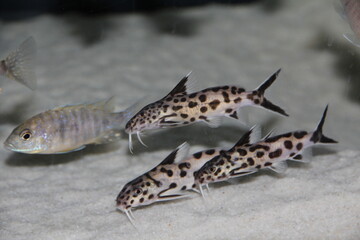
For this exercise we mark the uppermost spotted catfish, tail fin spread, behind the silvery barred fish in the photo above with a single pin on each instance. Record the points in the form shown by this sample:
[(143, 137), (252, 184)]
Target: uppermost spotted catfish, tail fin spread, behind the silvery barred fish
[(178, 108)]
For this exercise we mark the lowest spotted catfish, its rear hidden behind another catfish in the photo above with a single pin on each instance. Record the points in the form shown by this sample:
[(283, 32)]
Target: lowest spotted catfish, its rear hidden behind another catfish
[(167, 181)]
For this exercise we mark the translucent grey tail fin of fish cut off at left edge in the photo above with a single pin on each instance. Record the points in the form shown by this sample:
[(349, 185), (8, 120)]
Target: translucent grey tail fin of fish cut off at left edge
[(19, 64)]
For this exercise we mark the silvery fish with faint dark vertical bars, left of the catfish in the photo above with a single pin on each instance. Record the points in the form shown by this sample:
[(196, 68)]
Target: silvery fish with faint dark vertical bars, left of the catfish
[(69, 128)]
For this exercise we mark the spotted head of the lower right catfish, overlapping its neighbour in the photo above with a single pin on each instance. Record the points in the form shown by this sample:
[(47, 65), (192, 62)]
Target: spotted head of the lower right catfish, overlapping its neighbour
[(212, 171)]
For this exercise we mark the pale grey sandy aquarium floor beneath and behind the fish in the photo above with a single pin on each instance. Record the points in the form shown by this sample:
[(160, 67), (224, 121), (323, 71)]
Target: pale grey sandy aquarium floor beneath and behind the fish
[(80, 59)]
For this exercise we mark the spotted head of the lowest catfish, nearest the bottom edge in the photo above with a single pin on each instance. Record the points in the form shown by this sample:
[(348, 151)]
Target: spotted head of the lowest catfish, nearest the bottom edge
[(139, 192)]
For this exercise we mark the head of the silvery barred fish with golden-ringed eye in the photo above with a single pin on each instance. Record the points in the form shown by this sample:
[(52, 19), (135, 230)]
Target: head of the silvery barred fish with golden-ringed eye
[(28, 137)]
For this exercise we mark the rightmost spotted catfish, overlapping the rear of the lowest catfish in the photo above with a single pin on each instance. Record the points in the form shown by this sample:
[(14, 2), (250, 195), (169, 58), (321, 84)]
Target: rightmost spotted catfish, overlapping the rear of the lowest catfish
[(247, 157)]
